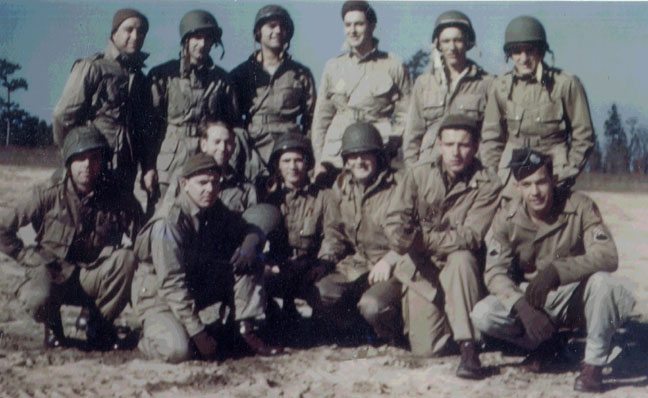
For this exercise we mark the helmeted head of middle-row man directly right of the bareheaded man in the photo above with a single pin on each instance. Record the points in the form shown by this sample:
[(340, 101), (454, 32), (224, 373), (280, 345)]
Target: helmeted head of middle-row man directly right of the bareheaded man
[(291, 160)]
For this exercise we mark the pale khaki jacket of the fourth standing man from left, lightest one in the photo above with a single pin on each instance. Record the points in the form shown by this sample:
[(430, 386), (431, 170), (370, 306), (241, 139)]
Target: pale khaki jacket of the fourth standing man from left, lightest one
[(373, 89)]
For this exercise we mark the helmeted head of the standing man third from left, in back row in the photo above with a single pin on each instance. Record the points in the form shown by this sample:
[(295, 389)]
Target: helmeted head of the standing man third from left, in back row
[(273, 27)]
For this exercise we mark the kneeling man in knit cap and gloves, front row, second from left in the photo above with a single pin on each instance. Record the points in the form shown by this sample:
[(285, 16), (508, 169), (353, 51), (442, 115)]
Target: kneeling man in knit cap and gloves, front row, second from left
[(188, 263)]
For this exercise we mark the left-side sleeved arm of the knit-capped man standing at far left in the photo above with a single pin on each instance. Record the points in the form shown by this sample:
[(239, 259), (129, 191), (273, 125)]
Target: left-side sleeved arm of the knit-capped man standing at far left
[(73, 107)]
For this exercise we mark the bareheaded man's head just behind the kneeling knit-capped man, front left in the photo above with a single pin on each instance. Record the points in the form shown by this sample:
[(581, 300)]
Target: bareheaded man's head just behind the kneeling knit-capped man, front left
[(217, 140)]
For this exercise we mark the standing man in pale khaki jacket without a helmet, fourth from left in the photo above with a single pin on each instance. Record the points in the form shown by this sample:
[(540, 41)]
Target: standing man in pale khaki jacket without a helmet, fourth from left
[(362, 85)]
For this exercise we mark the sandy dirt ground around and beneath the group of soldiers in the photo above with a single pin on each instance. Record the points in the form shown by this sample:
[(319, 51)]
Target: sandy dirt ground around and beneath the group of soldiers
[(324, 370)]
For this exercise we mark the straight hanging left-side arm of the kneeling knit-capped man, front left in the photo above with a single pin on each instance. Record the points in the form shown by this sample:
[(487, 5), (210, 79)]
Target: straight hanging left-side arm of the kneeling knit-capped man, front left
[(168, 261)]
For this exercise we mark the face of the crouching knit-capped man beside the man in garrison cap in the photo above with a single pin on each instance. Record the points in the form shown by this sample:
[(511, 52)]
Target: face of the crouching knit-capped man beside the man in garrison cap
[(457, 150)]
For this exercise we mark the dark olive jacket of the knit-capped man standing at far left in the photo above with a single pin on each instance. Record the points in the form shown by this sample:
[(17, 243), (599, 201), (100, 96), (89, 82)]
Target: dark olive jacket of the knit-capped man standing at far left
[(110, 91)]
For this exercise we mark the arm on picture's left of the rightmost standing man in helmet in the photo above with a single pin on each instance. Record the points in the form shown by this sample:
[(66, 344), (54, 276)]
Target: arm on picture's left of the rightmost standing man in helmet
[(494, 130)]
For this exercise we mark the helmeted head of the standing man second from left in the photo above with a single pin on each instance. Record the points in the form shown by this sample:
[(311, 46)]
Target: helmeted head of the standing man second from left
[(199, 32)]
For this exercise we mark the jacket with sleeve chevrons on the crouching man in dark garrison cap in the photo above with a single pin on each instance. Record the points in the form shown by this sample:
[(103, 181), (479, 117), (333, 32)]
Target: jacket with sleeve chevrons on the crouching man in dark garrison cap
[(577, 244)]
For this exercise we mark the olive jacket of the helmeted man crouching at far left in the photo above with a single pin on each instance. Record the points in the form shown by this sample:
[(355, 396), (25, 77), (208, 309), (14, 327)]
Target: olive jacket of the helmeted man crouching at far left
[(70, 230)]
